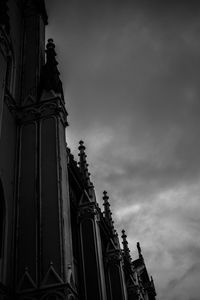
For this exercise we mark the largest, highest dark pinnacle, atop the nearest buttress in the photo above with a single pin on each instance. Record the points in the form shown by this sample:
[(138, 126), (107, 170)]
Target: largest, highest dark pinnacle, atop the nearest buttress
[(50, 79)]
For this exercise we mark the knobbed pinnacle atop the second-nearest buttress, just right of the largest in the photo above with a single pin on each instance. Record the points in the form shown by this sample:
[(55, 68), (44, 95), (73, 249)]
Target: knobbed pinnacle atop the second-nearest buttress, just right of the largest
[(83, 165)]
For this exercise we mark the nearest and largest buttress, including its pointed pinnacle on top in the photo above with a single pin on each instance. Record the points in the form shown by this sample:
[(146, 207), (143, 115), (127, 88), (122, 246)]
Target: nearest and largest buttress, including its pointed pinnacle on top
[(43, 241)]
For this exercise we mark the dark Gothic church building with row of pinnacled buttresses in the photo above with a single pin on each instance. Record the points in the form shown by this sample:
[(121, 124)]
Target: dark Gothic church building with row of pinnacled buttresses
[(55, 241)]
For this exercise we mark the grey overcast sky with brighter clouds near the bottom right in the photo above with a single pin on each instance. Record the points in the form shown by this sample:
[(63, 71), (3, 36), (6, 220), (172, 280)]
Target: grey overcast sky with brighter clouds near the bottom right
[(131, 76)]
